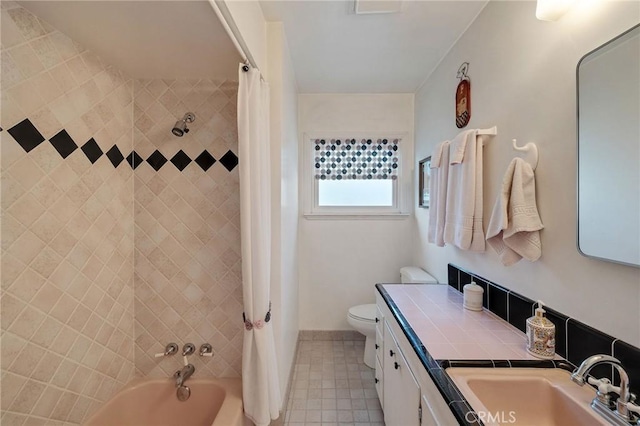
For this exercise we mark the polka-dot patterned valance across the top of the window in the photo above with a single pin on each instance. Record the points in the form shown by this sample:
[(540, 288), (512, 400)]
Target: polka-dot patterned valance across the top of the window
[(338, 159)]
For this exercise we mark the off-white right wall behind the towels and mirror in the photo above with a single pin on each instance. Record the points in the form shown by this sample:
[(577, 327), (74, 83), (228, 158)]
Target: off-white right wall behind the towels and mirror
[(523, 80)]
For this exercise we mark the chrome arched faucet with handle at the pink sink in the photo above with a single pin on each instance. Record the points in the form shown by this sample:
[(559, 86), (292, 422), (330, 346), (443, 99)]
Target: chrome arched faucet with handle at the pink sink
[(622, 415)]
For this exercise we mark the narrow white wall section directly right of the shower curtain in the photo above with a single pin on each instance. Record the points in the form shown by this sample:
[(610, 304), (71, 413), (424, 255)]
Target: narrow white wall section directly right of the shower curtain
[(284, 169)]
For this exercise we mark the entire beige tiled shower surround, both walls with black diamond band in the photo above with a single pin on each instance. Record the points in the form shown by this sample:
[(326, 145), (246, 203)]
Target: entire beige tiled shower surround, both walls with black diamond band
[(73, 213)]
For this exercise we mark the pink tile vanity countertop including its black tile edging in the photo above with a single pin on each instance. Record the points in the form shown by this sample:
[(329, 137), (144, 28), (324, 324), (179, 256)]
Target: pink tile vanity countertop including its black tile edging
[(443, 334)]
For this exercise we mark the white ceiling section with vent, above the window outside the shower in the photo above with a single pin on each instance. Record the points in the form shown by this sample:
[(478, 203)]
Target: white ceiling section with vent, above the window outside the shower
[(336, 51)]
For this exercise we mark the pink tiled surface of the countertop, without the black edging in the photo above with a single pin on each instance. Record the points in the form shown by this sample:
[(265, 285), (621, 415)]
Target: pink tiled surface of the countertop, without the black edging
[(450, 332)]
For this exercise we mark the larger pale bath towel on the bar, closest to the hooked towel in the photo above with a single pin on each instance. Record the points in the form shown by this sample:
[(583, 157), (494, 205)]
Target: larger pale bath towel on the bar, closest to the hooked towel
[(463, 224)]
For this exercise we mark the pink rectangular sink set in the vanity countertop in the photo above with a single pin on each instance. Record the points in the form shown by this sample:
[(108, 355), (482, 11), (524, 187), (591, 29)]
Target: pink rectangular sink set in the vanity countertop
[(526, 396)]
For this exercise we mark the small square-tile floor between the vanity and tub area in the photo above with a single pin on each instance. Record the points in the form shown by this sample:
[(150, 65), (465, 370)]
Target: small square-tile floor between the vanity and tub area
[(332, 387)]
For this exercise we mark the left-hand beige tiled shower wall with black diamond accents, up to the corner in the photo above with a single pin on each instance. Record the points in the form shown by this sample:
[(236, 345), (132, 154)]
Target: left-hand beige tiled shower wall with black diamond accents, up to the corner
[(67, 225)]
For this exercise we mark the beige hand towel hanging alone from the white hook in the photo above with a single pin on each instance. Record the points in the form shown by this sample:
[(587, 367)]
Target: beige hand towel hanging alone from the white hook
[(514, 228)]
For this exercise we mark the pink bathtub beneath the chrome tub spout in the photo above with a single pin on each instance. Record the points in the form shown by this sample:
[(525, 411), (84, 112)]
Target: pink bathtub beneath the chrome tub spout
[(213, 402)]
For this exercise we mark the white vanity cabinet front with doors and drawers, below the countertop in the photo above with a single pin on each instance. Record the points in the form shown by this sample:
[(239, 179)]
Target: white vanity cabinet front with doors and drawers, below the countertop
[(407, 393)]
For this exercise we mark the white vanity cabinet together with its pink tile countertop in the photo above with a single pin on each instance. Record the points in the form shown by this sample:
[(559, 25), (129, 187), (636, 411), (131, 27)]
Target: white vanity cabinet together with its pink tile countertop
[(421, 329)]
